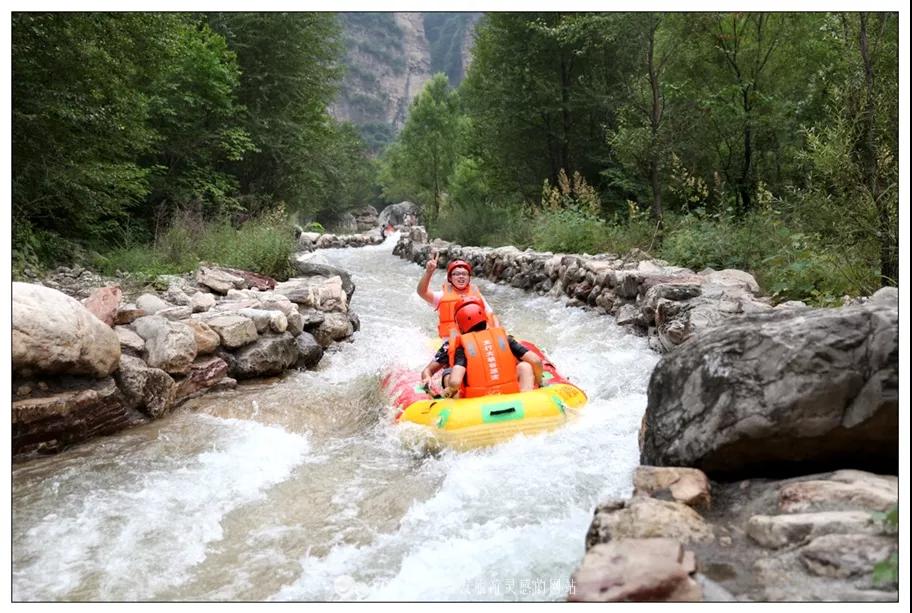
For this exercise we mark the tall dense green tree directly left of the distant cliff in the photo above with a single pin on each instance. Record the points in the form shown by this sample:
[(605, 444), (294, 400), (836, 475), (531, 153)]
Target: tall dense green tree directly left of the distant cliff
[(289, 75)]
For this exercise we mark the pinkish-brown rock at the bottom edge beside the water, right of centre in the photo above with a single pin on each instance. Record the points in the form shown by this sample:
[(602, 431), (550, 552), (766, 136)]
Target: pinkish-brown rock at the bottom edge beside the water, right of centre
[(636, 570)]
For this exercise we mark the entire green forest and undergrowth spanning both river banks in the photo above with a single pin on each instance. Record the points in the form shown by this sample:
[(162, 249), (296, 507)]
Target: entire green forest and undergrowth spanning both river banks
[(697, 138)]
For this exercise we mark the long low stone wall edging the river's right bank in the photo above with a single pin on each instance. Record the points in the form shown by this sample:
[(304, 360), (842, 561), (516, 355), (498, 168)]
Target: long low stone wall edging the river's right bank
[(668, 303)]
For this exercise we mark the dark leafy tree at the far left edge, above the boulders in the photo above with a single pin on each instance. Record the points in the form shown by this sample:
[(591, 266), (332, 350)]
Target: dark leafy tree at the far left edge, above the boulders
[(79, 125)]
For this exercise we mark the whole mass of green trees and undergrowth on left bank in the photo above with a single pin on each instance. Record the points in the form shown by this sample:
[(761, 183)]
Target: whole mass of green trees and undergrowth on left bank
[(126, 123)]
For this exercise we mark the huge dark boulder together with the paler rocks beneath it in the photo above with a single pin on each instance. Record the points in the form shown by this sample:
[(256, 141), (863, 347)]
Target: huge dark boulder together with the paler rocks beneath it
[(794, 416)]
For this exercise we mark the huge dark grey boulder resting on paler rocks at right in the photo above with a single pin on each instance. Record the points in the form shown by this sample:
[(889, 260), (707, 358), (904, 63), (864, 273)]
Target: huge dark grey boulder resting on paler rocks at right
[(789, 391)]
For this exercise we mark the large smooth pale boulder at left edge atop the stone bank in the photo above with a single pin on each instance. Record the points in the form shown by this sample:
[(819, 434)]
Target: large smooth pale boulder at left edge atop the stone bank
[(54, 334)]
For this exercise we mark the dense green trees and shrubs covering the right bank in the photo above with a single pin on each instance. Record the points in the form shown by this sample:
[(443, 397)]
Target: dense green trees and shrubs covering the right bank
[(695, 137)]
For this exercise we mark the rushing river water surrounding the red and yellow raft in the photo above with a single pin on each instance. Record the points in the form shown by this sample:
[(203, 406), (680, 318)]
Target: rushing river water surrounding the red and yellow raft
[(300, 488)]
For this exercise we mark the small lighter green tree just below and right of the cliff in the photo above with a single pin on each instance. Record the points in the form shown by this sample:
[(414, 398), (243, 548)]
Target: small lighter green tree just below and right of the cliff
[(419, 164)]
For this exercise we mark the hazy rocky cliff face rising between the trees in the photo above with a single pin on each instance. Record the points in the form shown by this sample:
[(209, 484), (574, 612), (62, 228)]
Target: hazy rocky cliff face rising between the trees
[(389, 58)]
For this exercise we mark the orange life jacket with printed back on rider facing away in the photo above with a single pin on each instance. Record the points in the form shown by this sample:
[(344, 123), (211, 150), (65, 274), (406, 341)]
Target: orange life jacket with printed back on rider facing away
[(490, 365)]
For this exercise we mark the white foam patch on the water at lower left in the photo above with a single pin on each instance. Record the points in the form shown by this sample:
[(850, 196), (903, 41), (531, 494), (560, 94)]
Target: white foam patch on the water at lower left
[(147, 527)]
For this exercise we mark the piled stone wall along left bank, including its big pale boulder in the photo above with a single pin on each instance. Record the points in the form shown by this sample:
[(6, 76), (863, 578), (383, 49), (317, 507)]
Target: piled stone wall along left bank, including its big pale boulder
[(84, 369)]
